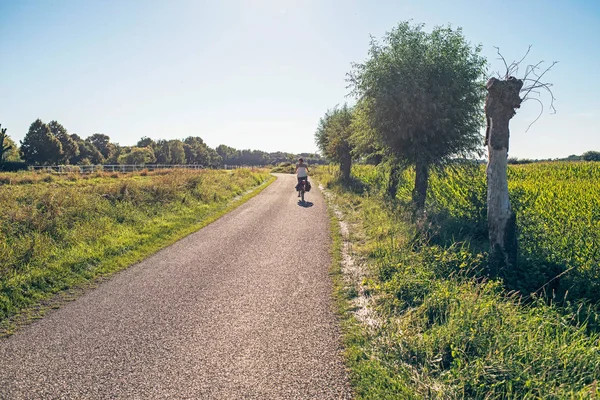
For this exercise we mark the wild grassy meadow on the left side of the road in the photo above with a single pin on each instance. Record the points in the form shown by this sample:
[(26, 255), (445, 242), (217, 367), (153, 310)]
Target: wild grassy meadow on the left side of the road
[(63, 234)]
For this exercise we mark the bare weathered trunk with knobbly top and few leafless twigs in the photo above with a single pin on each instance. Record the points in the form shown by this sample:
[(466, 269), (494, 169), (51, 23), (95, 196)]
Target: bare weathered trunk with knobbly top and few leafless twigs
[(501, 102)]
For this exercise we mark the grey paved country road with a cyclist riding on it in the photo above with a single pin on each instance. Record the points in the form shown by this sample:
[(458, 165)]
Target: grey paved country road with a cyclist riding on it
[(239, 310)]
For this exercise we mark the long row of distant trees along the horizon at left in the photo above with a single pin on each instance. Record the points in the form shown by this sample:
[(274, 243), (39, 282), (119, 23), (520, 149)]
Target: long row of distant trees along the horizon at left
[(51, 144)]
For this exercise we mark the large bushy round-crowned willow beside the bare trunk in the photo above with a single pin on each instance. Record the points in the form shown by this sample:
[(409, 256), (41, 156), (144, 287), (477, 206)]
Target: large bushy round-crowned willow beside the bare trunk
[(422, 95)]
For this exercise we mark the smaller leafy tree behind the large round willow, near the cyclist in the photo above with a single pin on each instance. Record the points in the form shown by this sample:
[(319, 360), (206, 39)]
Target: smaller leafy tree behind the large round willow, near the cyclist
[(333, 137)]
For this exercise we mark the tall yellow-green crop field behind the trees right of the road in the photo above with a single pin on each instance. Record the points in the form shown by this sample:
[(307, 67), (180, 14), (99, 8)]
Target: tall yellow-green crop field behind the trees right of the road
[(558, 220)]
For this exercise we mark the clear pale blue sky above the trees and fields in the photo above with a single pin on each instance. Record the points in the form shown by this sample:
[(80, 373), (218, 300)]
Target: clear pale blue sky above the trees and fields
[(260, 74)]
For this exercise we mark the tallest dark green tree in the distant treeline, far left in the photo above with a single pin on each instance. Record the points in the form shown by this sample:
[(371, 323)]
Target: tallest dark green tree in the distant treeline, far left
[(39, 145)]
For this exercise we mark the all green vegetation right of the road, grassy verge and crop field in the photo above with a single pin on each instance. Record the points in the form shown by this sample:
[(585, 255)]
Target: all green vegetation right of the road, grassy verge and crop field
[(439, 326)]
